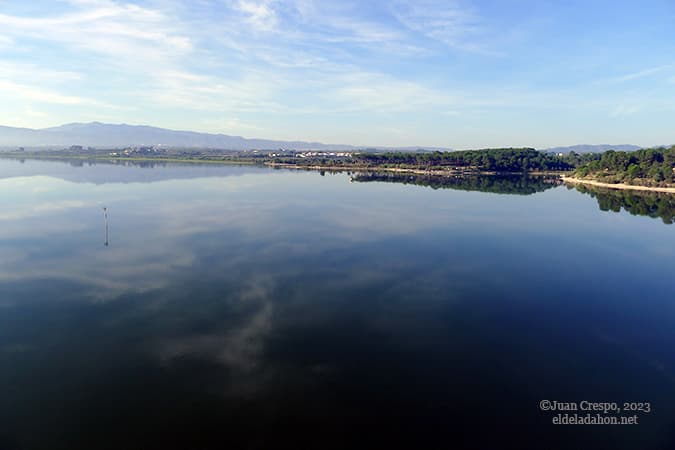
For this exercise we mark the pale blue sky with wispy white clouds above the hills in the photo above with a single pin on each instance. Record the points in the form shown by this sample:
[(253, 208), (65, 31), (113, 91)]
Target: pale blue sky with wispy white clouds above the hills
[(460, 74)]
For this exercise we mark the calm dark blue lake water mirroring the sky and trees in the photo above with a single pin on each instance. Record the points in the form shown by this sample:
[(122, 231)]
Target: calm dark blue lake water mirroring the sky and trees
[(237, 307)]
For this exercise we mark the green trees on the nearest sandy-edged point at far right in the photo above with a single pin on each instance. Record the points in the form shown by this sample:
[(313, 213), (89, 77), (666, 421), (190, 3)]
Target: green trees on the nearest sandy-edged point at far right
[(647, 167)]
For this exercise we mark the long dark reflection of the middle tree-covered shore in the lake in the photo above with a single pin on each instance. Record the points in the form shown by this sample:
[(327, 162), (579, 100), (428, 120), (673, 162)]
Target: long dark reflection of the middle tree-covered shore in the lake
[(499, 184)]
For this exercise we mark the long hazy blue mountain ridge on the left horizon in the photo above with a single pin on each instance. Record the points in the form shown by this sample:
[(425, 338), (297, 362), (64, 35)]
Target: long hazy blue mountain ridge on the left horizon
[(102, 135)]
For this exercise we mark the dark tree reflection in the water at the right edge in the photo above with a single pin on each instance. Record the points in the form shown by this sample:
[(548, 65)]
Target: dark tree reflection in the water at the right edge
[(638, 203)]
